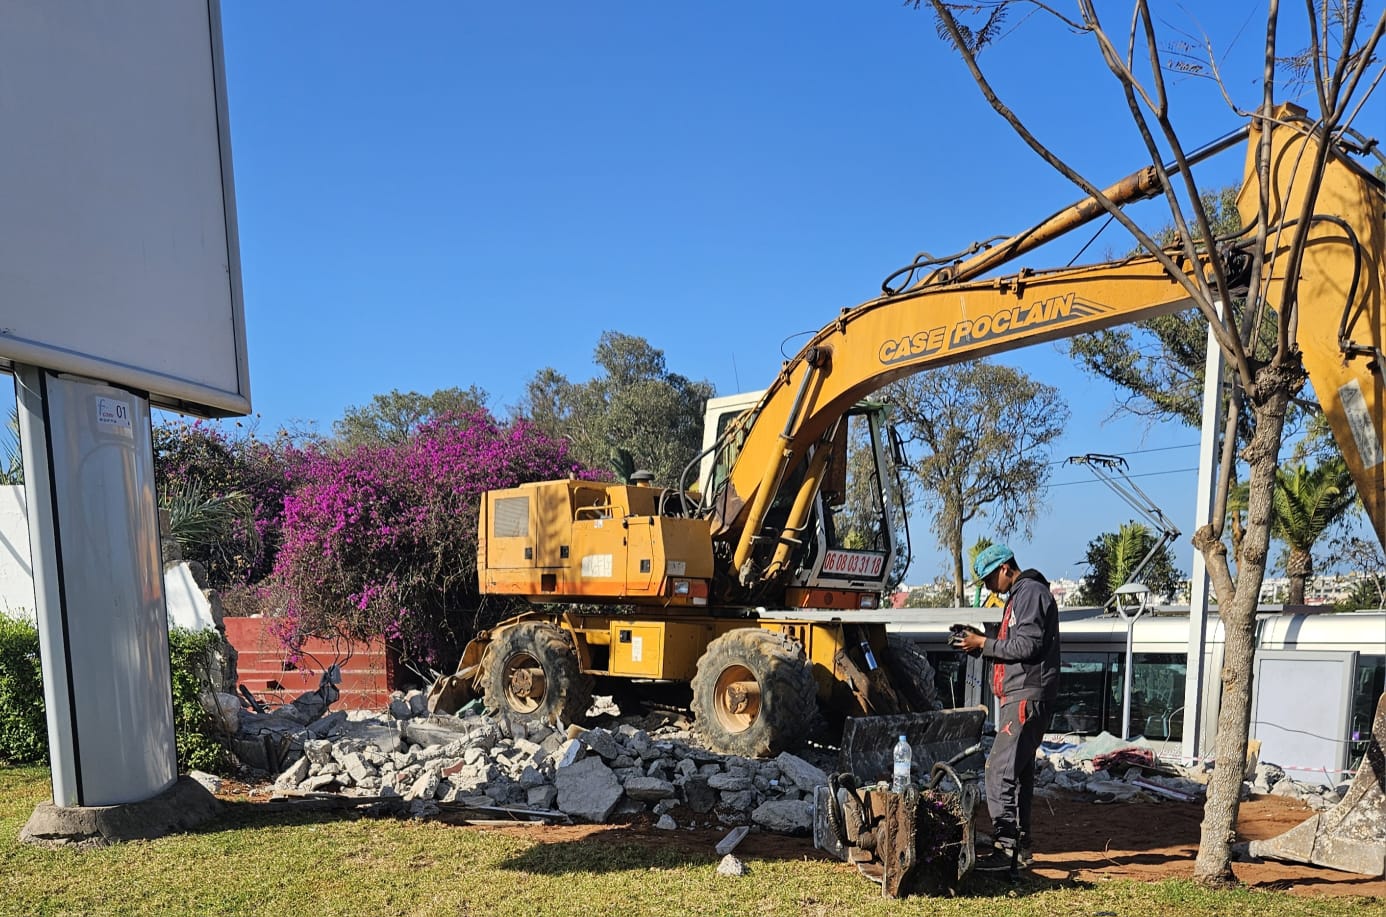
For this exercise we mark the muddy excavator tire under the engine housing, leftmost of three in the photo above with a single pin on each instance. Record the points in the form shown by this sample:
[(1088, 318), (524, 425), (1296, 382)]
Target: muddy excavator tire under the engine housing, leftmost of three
[(532, 674)]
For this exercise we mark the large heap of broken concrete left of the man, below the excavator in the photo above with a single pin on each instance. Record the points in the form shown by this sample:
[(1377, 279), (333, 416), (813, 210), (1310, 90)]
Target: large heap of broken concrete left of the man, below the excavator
[(484, 763)]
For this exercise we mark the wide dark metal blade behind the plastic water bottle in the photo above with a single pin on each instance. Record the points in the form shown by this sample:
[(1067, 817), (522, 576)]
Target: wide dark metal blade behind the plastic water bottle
[(935, 736)]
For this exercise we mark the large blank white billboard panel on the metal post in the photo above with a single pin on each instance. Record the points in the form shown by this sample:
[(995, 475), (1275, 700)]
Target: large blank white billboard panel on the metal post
[(119, 250)]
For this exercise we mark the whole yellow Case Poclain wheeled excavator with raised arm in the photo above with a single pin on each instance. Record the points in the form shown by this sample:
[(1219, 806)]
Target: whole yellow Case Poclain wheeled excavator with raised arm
[(759, 592)]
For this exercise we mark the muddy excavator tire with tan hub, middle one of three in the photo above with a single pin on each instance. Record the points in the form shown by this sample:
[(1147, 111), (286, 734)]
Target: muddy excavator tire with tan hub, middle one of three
[(753, 695)]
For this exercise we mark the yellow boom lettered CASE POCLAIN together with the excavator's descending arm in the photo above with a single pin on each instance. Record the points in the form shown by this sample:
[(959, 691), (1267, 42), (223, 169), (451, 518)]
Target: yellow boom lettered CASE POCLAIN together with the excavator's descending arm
[(931, 326)]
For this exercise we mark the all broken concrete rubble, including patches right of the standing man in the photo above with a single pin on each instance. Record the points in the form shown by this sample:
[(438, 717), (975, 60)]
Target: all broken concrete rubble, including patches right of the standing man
[(630, 768)]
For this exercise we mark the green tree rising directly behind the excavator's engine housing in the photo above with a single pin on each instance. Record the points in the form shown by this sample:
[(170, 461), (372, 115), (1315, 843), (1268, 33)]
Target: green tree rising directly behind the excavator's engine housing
[(635, 415)]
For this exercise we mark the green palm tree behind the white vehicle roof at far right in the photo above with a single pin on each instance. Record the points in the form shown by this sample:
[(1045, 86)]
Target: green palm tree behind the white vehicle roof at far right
[(1308, 504)]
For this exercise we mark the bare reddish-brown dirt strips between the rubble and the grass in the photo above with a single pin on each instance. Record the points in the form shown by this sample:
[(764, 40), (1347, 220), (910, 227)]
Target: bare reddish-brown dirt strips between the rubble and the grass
[(1075, 840)]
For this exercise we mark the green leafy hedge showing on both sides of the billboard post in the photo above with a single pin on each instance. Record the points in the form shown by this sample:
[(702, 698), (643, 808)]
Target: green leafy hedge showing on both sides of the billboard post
[(24, 735)]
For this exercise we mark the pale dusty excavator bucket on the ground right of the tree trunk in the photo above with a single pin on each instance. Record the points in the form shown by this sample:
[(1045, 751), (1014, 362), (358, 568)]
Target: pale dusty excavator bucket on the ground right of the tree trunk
[(1351, 836)]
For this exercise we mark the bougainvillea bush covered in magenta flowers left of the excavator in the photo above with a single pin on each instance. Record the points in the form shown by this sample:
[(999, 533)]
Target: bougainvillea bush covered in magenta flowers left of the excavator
[(383, 540)]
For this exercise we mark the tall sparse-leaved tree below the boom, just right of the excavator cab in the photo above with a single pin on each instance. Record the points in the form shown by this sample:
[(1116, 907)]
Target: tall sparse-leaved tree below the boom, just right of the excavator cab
[(983, 433)]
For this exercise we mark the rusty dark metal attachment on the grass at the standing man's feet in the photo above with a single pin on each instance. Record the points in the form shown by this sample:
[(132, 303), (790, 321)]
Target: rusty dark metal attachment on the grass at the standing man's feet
[(914, 843)]
